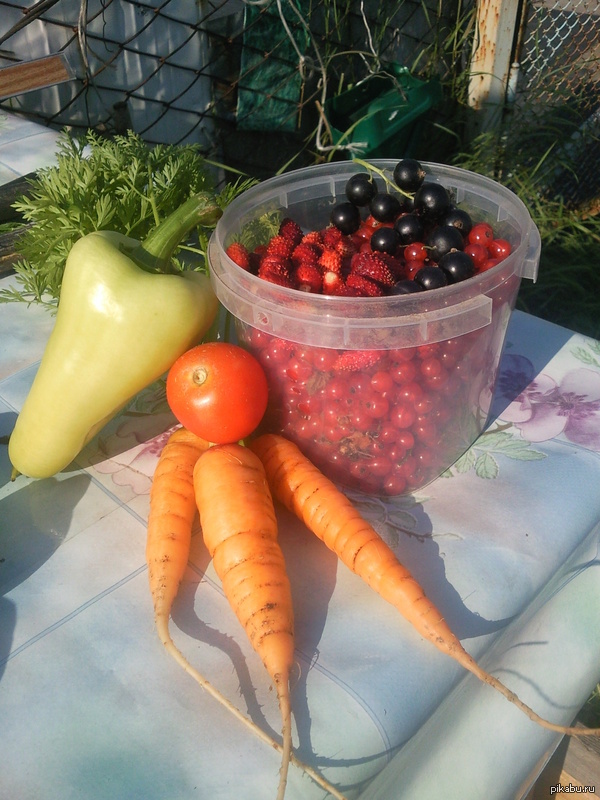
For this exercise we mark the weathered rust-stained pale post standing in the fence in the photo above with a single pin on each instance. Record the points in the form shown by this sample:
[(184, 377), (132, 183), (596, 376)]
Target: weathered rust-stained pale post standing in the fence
[(495, 30)]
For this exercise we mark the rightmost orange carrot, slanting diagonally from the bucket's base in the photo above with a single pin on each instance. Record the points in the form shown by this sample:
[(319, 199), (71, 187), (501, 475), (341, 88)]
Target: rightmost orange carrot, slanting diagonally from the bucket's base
[(328, 513)]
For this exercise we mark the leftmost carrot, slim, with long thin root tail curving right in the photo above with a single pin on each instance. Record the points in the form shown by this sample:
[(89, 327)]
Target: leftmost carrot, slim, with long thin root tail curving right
[(170, 521)]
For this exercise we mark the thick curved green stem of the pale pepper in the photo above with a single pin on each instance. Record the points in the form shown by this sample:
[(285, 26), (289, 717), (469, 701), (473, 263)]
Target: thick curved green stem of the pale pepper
[(154, 254)]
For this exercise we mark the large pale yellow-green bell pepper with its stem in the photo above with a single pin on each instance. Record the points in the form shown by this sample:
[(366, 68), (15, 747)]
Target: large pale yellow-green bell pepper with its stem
[(124, 316)]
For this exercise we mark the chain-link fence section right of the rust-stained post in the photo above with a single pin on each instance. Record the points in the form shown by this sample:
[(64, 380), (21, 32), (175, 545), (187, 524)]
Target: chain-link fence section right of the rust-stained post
[(557, 99)]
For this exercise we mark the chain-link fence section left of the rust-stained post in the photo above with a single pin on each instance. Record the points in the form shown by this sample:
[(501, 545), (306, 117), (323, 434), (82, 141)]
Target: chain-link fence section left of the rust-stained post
[(246, 81)]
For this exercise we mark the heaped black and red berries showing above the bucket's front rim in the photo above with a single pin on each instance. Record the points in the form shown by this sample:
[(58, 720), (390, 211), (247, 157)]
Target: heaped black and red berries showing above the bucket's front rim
[(379, 242)]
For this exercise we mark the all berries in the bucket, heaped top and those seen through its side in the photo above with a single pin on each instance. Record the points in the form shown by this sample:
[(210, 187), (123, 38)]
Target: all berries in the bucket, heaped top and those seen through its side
[(387, 421)]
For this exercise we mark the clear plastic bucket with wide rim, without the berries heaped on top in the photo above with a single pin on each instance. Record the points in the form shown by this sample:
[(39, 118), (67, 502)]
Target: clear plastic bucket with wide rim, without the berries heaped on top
[(423, 366)]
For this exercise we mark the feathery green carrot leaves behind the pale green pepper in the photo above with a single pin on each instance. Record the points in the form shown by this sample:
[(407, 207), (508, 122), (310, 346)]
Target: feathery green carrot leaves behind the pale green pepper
[(120, 184)]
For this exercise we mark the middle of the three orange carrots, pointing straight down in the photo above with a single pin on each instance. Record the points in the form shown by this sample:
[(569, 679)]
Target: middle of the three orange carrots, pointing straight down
[(240, 531)]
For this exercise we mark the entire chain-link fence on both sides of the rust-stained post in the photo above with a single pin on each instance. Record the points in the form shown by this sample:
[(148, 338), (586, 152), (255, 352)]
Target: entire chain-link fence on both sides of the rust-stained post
[(250, 81)]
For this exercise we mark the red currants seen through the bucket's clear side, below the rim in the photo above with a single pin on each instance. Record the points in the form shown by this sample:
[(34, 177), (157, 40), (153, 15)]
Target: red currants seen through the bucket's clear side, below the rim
[(384, 422)]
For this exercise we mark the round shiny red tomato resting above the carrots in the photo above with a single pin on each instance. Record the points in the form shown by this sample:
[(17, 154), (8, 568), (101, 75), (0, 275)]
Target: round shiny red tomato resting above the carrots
[(217, 391)]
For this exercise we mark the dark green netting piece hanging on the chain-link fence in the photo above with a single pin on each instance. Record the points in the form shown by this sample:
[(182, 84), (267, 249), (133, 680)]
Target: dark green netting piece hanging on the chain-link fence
[(270, 84)]
